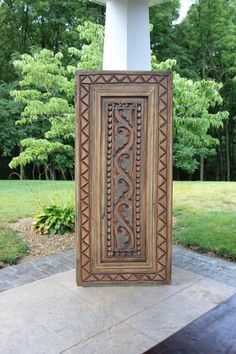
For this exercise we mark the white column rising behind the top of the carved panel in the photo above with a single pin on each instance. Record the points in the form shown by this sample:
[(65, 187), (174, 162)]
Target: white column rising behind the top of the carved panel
[(127, 35)]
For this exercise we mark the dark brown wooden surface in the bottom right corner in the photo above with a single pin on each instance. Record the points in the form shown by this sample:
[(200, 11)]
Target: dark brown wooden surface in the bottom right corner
[(212, 333)]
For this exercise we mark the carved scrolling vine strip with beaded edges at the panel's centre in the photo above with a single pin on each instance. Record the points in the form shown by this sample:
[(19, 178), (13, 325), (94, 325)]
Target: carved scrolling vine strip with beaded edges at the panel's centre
[(123, 178)]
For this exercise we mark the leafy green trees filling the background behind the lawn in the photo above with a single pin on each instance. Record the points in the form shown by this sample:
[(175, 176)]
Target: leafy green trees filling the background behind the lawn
[(41, 82)]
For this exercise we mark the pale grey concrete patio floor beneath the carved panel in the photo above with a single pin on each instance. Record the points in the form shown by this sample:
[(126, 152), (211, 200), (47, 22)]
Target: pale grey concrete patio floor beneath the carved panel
[(53, 315)]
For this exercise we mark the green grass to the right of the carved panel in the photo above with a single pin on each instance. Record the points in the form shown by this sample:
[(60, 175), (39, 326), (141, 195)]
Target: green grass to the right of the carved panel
[(205, 217)]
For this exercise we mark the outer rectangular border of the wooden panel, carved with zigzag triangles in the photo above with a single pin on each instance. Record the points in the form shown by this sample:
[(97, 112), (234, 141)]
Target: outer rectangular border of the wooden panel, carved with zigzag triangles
[(164, 171)]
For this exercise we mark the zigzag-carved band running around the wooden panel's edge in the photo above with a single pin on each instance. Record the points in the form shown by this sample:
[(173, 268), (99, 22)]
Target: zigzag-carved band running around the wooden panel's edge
[(162, 233)]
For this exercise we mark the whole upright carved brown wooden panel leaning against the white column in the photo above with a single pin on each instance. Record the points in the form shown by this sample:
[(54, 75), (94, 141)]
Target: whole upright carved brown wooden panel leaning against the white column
[(123, 177)]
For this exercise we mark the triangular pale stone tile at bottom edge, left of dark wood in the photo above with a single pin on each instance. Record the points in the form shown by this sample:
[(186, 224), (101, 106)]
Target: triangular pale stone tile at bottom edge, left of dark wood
[(119, 339)]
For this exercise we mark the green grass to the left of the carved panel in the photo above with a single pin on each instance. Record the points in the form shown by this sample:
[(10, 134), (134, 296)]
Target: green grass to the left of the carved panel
[(20, 199)]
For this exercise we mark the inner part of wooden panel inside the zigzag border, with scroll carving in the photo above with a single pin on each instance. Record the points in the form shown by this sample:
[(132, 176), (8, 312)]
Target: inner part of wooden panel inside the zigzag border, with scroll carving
[(122, 156)]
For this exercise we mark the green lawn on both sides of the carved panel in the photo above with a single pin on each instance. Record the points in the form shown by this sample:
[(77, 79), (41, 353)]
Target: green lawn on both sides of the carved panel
[(204, 213)]
